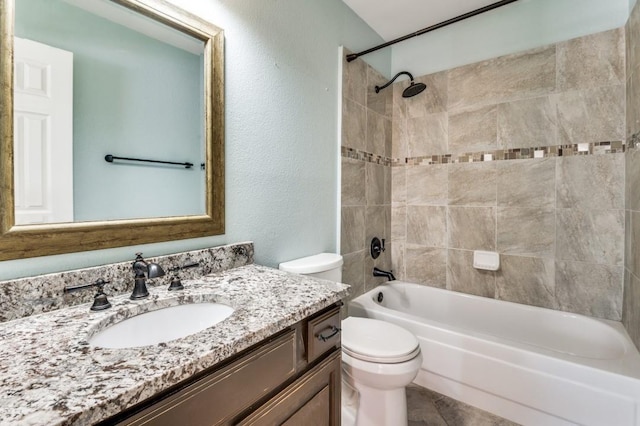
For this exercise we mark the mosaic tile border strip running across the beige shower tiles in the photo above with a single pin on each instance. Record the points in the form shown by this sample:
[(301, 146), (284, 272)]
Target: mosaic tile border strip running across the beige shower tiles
[(593, 148)]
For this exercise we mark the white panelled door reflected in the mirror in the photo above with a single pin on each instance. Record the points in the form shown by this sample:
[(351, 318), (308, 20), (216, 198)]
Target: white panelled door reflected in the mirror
[(43, 133)]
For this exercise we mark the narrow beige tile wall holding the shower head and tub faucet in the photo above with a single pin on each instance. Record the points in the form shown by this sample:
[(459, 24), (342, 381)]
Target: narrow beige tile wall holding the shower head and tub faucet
[(366, 186)]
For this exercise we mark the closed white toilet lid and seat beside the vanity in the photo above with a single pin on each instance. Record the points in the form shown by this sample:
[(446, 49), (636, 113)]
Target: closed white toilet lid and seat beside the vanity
[(378, 341)]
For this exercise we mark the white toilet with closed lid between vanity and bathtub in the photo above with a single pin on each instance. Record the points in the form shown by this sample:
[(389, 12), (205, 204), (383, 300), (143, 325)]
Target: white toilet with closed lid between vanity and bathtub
[(378, 358)]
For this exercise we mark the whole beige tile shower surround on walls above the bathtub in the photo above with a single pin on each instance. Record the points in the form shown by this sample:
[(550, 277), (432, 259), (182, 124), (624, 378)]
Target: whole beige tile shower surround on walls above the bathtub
[(522, 154)]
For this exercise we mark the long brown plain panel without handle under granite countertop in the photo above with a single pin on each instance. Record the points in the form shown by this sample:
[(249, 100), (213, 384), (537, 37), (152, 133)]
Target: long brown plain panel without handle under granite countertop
[(220, 396)]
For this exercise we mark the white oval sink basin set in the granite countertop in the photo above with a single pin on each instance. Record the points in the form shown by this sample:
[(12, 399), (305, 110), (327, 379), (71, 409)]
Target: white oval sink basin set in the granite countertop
[(162, 325)]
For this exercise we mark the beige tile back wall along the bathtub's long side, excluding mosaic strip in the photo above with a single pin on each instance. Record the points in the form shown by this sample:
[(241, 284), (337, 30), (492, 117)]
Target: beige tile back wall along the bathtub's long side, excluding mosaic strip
[(558, 222)]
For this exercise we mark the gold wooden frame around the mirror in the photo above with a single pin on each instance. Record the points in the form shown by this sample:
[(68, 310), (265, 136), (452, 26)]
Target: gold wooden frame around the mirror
[(17, 242)]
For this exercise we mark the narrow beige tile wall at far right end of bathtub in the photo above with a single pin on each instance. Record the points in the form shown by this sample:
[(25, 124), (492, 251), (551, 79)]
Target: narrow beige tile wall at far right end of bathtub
[(631, 306)]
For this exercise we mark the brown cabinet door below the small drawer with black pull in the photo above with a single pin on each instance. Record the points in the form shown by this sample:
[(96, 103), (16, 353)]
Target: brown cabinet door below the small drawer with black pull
[(312, 400)]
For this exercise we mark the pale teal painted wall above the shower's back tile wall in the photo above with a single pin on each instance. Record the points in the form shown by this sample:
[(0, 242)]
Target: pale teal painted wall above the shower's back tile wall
[(518, 26)]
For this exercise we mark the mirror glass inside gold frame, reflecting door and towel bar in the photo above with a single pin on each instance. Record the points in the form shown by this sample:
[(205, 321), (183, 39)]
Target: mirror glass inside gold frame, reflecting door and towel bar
[(94, 79)]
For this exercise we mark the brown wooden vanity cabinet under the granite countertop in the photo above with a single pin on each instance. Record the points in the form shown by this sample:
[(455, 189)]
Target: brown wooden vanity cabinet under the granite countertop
[(291, 378)]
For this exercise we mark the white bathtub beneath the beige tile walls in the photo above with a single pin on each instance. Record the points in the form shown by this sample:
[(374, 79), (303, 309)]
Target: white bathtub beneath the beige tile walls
[(531, 365)]
